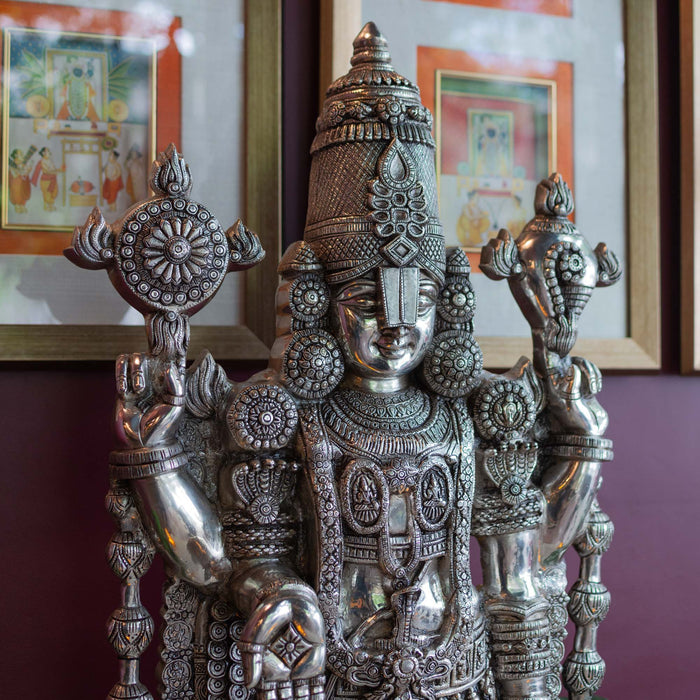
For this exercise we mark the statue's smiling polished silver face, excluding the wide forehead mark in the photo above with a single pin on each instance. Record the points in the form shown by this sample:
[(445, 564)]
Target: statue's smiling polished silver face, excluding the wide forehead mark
[(373, 349)]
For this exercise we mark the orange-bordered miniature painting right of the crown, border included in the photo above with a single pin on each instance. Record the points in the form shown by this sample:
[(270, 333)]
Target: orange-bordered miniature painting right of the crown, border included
[(502, 124)]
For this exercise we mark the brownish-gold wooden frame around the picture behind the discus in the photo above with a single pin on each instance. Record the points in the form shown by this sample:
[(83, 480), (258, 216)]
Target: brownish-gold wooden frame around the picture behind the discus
[(262, 213)]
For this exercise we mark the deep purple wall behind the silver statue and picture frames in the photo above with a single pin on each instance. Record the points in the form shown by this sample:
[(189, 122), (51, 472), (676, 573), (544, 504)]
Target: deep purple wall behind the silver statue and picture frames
[(57, 590)]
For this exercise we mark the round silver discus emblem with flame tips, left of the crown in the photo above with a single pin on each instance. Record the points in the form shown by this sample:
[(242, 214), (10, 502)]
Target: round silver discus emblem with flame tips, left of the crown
[(167, 256)]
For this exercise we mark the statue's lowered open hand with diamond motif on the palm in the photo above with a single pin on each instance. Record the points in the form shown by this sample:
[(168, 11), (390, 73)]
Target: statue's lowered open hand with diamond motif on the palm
[(284, 640)]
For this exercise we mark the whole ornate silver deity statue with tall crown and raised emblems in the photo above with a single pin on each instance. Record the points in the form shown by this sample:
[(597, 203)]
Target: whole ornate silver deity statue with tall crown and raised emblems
[(316, 519)]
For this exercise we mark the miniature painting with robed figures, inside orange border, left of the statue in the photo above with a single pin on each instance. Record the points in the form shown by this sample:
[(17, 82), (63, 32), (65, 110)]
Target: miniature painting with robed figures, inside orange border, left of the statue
[(79, 112)]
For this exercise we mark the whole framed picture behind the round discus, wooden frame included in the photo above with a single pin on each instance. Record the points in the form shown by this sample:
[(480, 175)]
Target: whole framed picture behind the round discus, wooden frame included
[(89, 96)]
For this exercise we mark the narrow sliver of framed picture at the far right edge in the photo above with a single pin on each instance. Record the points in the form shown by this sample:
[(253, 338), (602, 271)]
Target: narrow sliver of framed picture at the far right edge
[(690, 182)]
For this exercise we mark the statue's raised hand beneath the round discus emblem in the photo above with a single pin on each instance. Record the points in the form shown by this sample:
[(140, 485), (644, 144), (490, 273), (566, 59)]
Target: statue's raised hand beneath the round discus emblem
[(150, 401)]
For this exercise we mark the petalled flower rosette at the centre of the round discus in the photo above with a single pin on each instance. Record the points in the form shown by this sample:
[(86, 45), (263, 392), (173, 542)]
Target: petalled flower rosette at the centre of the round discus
[(176, 250)]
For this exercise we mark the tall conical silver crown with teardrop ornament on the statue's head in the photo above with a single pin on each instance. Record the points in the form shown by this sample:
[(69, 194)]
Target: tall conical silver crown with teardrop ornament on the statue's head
[(372, 193)]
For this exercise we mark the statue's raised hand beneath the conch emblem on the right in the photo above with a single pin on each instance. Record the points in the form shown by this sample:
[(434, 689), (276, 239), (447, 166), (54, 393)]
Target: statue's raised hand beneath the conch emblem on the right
[(571, 387)]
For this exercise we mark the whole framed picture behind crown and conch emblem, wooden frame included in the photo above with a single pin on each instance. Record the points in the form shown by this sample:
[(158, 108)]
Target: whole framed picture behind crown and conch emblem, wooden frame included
[(518, 89)]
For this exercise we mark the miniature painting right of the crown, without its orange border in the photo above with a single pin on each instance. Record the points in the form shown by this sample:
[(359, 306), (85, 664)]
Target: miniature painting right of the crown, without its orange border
[(494, 147)]
